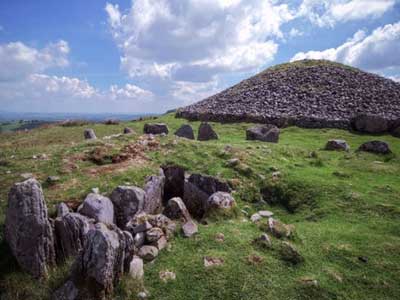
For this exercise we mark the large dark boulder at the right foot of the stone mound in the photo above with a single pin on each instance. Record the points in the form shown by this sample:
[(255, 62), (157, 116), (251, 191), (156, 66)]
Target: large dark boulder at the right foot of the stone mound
[(370, 123)]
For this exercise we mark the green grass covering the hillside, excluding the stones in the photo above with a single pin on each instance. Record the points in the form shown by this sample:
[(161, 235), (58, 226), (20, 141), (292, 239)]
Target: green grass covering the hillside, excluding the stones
[(347, 206)]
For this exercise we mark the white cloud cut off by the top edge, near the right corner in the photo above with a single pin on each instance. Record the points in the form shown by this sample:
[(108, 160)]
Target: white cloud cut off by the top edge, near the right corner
[(329, 12)]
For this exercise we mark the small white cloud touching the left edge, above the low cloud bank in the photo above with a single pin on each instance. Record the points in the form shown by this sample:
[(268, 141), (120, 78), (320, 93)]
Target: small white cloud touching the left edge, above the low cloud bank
[(18, 60)]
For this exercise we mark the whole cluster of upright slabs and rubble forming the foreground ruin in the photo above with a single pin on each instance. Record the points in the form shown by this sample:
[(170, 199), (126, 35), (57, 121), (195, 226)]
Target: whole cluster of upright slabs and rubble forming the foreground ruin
[(108, 236)]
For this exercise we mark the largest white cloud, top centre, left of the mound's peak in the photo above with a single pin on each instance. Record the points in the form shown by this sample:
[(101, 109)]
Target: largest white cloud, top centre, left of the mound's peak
[(166, 39)]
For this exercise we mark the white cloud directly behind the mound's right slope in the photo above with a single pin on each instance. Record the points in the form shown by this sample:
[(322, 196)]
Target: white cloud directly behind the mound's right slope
[(377, 51)]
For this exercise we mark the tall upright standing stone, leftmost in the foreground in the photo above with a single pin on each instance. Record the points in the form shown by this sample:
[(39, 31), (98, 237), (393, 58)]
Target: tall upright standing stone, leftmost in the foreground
[(27, 228)]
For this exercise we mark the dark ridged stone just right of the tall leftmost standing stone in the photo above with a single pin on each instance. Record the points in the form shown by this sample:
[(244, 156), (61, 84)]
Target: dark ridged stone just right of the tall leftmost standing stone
[(71, 230)]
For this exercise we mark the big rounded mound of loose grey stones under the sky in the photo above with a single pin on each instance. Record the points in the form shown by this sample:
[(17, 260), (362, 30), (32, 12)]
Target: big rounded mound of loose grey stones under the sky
[(309, 93)]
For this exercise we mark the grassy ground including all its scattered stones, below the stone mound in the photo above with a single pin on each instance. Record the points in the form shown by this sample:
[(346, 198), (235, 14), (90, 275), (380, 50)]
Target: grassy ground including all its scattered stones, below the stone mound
[(311, 217)]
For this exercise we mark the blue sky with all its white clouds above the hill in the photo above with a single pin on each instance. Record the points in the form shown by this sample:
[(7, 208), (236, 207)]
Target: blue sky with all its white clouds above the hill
[(139, 56)]
